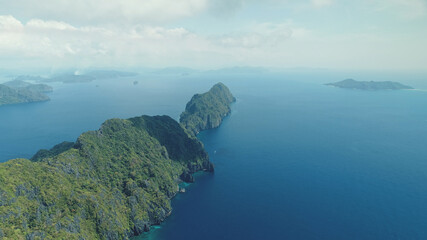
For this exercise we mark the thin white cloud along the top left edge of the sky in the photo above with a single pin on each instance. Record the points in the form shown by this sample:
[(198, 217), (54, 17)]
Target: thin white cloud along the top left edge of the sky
[(104, 12)]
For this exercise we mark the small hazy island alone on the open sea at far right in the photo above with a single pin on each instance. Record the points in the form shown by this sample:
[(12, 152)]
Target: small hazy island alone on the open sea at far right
[(365, 85)]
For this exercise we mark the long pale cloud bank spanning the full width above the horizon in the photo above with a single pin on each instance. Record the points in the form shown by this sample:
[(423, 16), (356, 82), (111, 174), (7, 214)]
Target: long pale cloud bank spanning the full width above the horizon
[(48, 43)]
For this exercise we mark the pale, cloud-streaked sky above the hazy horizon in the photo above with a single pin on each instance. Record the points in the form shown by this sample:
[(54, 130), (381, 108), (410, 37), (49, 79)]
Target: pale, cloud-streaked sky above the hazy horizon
[(209, 34)]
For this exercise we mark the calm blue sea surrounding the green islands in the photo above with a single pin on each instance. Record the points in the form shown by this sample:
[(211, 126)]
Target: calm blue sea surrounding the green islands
[(294, 160)]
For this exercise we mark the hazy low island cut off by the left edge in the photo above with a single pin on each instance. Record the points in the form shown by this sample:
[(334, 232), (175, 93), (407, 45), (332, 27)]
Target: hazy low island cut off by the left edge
[(18, 91)]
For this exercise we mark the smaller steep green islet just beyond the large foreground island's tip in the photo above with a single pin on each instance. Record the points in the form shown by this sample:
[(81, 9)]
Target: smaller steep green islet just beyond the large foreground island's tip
[(207, 110)]
